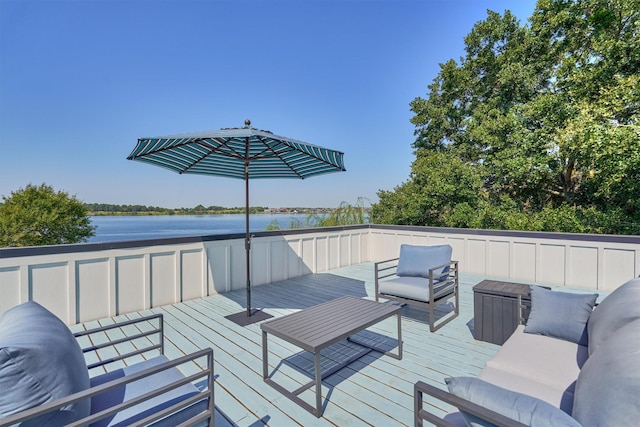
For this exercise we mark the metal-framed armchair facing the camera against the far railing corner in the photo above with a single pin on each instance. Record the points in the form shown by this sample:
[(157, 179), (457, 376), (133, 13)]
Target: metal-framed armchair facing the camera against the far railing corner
[(423, 276)]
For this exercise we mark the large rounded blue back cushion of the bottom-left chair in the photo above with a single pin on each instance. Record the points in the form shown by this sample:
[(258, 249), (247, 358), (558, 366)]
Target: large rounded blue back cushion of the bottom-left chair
[(40, 361)]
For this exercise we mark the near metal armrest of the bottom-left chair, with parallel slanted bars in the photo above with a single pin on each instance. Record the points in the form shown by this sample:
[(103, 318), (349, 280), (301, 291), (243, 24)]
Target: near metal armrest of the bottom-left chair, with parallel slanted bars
[(122, 381)]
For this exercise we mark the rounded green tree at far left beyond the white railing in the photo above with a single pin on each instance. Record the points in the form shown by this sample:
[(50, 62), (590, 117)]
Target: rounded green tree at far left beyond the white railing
[(38, 215)]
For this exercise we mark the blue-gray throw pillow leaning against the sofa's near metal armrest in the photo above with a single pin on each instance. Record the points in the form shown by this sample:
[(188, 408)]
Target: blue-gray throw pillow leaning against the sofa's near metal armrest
[(517, 406)]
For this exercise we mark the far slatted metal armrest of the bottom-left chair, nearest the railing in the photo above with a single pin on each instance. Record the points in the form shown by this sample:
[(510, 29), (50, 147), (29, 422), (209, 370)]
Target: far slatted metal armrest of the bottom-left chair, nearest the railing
[(144, 334)]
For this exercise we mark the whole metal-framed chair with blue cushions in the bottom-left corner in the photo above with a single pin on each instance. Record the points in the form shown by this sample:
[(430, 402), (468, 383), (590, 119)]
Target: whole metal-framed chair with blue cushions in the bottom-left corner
[(45, 380)]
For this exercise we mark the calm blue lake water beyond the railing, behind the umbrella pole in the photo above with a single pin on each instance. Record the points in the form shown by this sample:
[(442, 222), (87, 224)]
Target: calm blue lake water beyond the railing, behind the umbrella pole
[(119, 228)]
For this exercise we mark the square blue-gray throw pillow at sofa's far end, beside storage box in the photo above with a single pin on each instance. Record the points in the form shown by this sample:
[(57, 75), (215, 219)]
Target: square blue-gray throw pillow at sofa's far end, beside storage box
[(560, 314)]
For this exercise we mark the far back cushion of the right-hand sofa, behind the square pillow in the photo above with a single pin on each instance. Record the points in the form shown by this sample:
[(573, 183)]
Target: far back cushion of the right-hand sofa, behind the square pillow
[(619, 308)]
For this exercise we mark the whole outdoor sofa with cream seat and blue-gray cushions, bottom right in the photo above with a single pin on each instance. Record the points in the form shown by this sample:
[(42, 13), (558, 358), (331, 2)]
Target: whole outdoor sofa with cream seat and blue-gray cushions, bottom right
[(571, 365)]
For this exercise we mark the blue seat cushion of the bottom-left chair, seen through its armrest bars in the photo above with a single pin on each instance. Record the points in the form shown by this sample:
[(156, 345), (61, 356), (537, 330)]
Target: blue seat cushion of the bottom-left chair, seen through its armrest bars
[(135, 413)]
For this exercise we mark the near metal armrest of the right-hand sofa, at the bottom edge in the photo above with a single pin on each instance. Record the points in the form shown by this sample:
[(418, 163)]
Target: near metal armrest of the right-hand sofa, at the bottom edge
[(420, 414)]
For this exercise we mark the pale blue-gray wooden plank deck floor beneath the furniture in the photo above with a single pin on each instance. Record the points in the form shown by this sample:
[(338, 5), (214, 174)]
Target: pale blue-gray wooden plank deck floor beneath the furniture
[(374, 390)]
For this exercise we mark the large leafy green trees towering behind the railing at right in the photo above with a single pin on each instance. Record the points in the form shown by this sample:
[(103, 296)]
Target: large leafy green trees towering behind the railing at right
[(546, 117)]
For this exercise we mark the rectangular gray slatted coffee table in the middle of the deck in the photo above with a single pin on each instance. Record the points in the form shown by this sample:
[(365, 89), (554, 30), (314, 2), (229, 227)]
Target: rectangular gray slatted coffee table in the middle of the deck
[(318, 327)]
